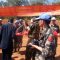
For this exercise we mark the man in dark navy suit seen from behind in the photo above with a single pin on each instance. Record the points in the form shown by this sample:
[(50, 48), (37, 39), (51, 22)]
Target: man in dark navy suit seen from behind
[(7, 40)]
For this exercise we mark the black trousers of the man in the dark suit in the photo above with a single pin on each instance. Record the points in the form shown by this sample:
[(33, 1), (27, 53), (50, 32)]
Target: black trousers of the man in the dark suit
[(7, 53)]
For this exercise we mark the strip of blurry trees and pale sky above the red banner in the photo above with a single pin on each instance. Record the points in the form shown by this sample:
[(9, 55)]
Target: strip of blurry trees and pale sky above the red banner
[(27, 2)]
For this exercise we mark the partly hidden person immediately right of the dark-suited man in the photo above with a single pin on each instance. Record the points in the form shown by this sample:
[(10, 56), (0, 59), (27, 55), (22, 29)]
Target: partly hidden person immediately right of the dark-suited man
[(15, 42)]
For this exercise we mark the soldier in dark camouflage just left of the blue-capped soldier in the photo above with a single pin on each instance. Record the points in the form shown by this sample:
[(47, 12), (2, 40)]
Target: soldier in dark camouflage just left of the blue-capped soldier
[(33, 34)]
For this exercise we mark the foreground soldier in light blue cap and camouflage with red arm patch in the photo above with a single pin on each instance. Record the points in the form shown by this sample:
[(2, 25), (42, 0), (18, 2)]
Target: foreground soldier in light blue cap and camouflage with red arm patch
[(44, 43)]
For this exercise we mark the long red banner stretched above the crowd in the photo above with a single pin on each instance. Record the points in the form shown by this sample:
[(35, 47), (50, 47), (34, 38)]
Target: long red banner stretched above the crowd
[(27, 10)]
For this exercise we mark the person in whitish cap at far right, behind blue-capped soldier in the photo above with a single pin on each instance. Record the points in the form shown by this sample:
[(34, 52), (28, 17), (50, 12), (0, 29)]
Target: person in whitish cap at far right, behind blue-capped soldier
[(55, 30)]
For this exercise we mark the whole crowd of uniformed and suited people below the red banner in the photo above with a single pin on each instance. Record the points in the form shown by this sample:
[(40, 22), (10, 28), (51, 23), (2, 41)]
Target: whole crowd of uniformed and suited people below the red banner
[(42, 33)]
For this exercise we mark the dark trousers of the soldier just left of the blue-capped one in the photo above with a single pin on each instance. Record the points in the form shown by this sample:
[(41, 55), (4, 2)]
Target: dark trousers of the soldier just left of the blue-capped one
[(30, 53)]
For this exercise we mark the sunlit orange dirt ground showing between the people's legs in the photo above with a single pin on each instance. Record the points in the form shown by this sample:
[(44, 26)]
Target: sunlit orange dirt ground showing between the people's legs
[(21, 54)]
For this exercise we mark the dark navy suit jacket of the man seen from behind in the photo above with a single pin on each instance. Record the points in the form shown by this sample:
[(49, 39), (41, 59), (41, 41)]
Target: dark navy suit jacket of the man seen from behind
[(7, 31)]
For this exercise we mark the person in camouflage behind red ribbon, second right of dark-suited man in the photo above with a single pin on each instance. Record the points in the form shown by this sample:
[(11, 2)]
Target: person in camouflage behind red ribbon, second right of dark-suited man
[(20, 30)]
